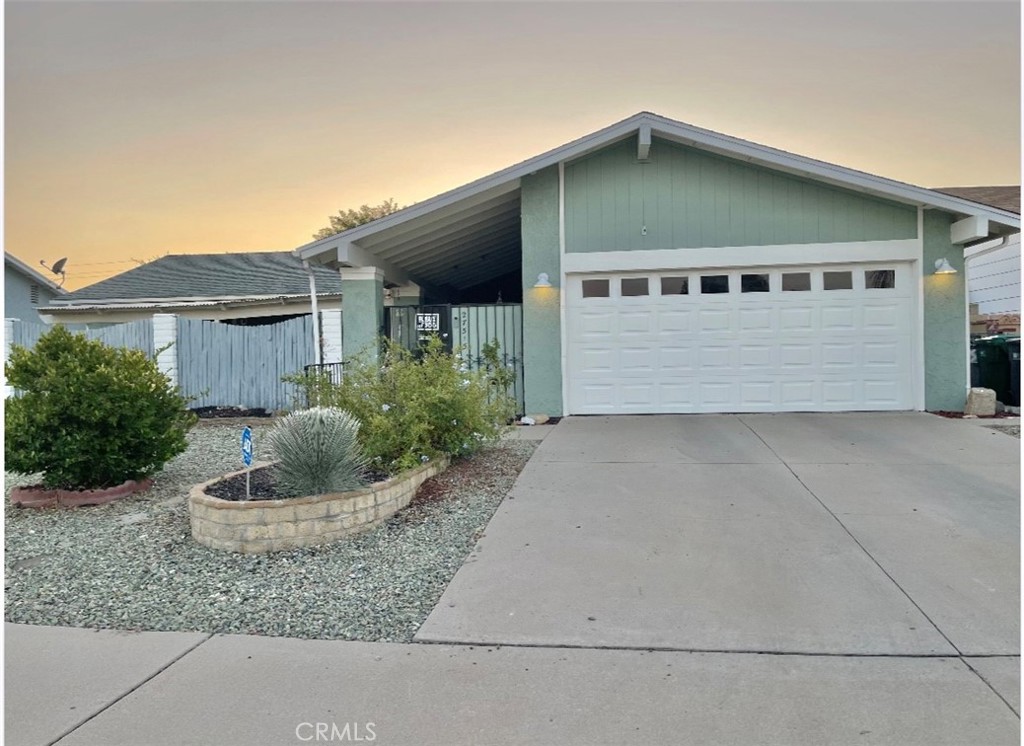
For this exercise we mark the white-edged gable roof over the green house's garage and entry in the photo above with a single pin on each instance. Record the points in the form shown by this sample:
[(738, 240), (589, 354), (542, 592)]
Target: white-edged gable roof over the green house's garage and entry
[(652, 124)]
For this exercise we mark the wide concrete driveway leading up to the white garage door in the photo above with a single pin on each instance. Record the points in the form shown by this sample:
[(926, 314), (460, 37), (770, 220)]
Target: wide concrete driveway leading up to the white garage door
[(836, 535)]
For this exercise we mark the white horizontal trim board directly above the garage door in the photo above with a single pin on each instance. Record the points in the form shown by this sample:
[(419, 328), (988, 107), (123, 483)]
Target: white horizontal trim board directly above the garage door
[(751, 256)]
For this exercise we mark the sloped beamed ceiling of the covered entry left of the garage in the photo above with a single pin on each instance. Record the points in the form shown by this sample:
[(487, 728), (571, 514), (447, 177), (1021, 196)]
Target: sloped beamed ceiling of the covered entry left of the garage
[(460, 248)]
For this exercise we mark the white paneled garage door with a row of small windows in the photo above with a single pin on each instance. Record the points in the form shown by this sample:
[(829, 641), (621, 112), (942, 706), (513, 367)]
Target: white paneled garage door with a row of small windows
[(800, 339)]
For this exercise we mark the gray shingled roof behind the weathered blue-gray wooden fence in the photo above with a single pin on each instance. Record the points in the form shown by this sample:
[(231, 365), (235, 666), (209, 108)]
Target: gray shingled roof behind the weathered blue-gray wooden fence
[(211, 277)]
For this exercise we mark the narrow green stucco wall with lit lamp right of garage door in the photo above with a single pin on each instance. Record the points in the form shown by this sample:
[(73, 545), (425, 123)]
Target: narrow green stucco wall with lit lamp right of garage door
[(946, 319)]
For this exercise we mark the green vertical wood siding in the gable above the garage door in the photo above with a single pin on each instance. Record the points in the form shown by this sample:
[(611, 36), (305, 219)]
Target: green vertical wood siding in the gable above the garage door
[(691, 199)]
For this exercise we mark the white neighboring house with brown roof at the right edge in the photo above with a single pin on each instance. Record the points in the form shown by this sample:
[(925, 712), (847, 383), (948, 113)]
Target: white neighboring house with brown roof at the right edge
[(994, 268)]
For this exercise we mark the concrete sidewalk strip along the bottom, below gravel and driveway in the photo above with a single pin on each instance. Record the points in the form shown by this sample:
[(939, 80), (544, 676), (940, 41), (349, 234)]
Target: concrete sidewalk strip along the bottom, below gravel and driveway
[(109, 689)]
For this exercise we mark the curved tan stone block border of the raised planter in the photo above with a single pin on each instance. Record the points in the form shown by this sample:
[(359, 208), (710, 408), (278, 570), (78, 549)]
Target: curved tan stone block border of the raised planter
[(261, 526)]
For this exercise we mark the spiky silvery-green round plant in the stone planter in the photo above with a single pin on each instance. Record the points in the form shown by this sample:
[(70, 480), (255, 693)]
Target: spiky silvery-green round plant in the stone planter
[(319, 452)]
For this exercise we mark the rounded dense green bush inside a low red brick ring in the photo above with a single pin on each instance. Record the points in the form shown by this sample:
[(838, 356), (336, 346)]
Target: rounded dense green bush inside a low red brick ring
[(91, 416)]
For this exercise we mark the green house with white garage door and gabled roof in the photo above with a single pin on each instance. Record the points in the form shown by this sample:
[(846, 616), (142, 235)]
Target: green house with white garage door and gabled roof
[(668, 269)]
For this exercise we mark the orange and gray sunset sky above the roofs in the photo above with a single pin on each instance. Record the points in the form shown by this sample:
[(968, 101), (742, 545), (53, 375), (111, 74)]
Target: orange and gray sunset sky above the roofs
[(139, 129)]
